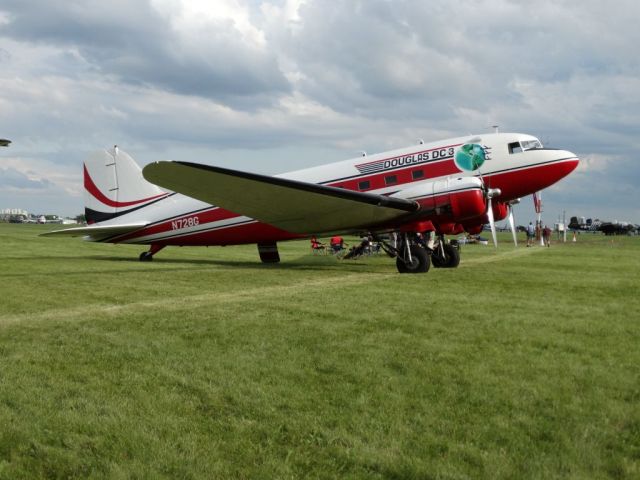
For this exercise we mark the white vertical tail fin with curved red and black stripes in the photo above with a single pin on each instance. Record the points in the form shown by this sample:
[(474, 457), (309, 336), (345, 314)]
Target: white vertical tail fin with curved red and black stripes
[(113, 186)]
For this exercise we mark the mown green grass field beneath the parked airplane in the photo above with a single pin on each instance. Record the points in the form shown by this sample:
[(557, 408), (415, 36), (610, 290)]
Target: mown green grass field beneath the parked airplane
[(521, 363)]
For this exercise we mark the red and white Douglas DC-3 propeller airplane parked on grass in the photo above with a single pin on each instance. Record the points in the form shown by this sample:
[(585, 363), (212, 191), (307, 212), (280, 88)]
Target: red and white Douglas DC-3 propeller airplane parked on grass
[(436, 189)]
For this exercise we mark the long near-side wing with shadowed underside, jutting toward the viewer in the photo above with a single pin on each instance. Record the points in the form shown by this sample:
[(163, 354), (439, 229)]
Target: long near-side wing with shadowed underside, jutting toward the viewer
[(294, 206)]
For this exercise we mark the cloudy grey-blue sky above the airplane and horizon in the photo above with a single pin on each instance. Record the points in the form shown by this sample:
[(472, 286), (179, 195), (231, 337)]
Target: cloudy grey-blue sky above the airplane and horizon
[(272, 86)]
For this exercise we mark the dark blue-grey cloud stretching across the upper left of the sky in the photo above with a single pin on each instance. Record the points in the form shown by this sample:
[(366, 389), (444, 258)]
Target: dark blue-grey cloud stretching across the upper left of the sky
[(133, 42)]
